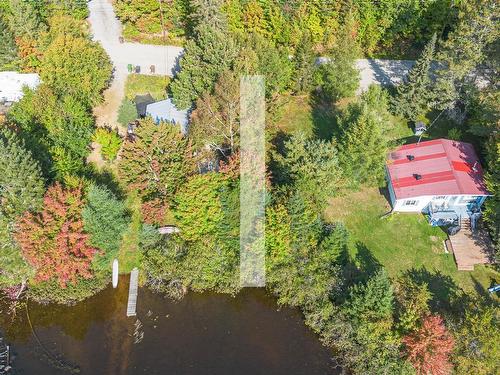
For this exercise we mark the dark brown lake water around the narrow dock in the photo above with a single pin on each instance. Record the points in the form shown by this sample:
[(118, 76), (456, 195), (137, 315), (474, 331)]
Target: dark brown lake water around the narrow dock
[(203, 334)]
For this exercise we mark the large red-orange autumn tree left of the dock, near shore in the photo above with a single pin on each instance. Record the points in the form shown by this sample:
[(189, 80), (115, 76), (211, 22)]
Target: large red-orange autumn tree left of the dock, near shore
[(53, 241)]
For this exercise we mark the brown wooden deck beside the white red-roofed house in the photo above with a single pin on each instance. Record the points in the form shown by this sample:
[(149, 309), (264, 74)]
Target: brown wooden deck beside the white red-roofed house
[(471, 248)]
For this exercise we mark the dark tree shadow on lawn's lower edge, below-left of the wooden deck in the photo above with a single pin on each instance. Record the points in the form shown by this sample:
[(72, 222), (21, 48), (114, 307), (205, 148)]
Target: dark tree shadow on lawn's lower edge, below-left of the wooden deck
[(446, 295)]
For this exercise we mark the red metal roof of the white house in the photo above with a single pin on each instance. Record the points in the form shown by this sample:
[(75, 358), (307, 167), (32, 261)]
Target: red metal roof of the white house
[(445, 168)]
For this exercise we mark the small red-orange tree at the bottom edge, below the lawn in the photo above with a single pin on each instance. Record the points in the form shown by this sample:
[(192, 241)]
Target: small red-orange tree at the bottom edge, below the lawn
[(429, 348)]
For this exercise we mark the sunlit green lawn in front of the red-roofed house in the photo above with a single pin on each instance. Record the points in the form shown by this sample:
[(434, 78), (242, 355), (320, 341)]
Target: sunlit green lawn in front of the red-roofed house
[(400, 241)]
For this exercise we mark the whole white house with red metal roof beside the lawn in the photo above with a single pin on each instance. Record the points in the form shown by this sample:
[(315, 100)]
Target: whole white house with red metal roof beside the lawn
[(437, 177)]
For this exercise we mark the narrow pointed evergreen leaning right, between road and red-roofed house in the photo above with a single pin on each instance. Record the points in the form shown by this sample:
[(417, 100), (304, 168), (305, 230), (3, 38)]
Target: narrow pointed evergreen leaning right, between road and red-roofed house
[(413, 95)]
